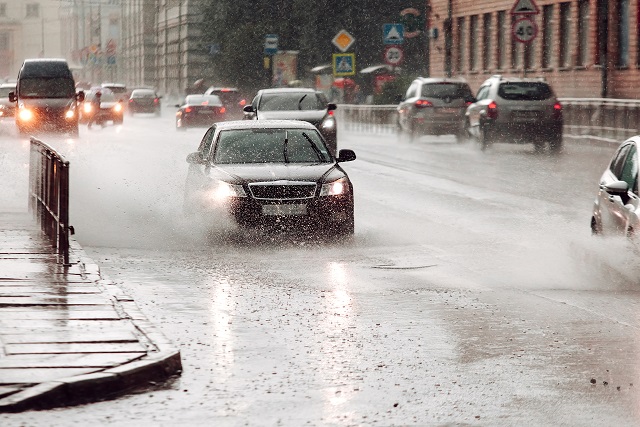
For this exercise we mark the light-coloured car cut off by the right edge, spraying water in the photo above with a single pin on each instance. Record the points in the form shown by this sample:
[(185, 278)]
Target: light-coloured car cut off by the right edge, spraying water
[(616, 209)]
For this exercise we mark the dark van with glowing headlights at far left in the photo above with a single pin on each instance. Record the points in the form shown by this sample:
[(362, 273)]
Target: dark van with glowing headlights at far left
[(46, 97)]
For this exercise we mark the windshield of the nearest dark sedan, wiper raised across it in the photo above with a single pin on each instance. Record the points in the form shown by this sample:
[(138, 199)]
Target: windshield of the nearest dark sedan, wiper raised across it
[(270, 146)]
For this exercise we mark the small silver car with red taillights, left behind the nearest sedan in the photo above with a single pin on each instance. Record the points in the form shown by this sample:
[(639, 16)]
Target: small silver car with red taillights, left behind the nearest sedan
[(199, 111)]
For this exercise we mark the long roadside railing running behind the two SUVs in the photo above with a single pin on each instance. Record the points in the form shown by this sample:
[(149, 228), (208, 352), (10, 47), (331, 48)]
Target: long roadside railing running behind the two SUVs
[(605, 119)]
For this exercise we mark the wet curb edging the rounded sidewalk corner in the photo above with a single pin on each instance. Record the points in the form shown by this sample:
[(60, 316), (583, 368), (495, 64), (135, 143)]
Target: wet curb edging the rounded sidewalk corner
[(161, 362)]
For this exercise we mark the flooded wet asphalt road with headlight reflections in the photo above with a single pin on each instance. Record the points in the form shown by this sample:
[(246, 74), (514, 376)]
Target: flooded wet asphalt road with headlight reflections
[(471, 293)]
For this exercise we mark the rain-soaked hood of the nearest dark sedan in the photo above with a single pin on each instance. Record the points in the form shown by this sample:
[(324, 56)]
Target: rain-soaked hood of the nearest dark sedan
[(278, 172)]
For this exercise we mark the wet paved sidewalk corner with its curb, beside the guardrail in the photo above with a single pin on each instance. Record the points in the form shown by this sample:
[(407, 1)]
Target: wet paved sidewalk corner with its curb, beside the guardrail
[(67, 335)]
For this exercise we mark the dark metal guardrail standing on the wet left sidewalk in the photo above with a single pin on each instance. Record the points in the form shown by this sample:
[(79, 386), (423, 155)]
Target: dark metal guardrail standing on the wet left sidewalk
[(49, 196)]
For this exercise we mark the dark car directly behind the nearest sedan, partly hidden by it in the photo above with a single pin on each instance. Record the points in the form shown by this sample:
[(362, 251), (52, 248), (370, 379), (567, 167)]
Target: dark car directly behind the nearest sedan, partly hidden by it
[(304, 104)]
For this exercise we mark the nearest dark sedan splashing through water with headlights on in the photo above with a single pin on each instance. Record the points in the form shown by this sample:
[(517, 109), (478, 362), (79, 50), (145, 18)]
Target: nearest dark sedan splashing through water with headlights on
[(270, 172)]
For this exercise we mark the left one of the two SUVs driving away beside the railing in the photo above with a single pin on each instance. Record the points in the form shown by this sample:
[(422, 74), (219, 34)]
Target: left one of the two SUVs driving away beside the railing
[(435, 106)]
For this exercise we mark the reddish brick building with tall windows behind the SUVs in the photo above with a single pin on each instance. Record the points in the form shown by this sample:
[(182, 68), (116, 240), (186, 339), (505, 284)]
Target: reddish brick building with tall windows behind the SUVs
[(585, 48)]
